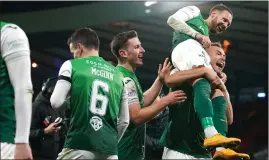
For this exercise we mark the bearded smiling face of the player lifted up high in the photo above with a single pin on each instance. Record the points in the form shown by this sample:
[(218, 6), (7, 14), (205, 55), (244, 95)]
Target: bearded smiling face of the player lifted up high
[(221, 21)]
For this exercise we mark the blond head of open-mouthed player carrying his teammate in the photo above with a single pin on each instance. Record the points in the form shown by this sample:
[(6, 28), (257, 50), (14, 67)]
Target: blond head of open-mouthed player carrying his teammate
[(217, 56)]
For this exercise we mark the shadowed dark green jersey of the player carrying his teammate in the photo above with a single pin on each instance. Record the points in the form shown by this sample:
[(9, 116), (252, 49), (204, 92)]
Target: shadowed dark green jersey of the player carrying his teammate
[(184, 132)]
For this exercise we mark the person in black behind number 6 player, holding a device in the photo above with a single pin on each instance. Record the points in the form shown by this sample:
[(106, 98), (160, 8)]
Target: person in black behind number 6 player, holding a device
[(46, 135)]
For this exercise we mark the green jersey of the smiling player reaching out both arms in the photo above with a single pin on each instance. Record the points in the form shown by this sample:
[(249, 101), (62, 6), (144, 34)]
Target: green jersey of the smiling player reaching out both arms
[(131, 145)]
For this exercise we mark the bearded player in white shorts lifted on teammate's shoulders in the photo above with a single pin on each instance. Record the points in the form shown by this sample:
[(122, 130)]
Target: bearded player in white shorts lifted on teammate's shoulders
[(189, 39)]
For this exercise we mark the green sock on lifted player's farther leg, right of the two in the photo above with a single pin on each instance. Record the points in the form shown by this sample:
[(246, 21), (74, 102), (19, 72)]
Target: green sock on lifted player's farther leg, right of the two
[(219, 118)]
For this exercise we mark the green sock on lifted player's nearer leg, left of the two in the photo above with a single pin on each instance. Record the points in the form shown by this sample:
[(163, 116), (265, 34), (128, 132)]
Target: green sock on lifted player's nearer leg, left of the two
[(202, 102)]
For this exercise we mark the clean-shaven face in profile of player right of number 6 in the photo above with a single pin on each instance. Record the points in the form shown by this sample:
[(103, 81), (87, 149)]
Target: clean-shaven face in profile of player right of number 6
[(135, 52)]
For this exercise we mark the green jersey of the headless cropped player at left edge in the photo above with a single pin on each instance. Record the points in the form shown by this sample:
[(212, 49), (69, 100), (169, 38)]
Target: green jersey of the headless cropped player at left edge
[(7, 111)]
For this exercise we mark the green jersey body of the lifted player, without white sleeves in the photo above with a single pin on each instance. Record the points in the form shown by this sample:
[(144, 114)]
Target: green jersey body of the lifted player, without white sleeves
[(197, 23)]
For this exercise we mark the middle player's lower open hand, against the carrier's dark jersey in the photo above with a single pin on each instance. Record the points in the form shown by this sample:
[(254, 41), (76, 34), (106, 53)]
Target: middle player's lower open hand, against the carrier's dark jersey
[(175, 97)]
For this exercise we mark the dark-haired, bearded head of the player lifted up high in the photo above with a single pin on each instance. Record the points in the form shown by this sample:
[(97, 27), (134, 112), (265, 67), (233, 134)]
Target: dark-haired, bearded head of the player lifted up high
[(221, 18)]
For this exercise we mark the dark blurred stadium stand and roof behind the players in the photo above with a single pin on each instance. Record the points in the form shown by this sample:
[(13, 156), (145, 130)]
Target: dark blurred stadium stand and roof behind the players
[(49, 25)]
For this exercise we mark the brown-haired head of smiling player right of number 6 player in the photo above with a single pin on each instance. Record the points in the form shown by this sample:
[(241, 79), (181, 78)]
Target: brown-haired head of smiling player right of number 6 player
[(127, 48)]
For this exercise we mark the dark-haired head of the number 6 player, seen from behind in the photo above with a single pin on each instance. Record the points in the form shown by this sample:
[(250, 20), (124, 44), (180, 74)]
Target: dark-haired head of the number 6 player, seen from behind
[(83, 40)]
